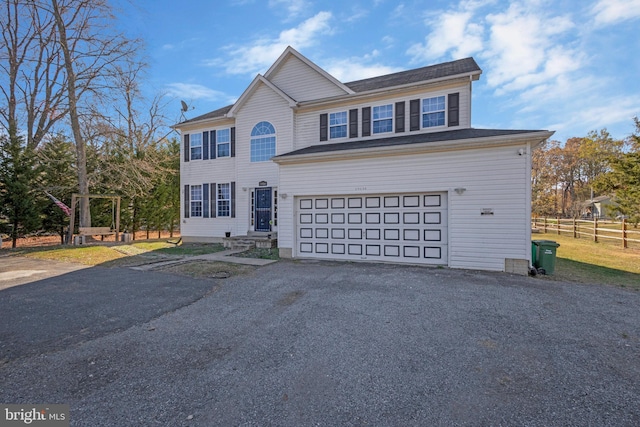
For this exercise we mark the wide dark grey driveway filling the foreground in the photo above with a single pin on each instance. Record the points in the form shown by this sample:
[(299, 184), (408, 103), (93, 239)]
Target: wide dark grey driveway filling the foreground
[(320, 343)]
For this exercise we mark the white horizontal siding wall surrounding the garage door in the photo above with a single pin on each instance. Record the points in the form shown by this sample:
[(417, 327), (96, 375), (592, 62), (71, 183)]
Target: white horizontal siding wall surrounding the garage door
[(494, 179)]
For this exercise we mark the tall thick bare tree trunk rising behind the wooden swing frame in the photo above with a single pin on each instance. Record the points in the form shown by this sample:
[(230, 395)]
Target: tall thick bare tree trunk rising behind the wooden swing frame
[(81, 155)]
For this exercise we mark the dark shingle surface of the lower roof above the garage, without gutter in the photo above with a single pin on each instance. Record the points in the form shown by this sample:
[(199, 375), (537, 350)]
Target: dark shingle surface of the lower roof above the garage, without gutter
[(407, 139)]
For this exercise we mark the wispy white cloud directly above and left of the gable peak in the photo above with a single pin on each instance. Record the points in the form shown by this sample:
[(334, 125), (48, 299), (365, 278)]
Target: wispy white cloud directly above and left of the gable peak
[(259, 55)]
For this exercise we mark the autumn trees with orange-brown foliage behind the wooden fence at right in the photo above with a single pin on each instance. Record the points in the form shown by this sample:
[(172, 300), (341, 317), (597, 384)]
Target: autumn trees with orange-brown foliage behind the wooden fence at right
[(566, 177)]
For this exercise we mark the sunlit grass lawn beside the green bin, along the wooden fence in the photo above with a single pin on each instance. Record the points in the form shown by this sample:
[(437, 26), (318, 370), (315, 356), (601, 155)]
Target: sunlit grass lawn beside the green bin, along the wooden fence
[(581, 260)]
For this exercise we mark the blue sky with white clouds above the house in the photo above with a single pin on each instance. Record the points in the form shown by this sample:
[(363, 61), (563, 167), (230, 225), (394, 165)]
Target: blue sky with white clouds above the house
[(566, 65)]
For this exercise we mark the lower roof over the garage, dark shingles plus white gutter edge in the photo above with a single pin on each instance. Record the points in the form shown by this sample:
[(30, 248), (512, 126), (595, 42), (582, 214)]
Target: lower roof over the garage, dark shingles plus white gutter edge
[(467, 135)]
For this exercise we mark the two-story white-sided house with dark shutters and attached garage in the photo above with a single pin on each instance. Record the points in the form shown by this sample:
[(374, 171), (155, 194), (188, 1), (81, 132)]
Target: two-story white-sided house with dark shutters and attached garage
[(384, 169)]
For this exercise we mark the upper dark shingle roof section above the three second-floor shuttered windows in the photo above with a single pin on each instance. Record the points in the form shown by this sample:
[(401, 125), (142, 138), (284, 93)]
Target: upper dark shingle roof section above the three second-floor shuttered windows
[(448, 69)]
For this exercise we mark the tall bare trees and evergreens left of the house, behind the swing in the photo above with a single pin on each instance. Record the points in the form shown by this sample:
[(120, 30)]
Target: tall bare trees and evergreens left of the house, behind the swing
[(74, 120)]
